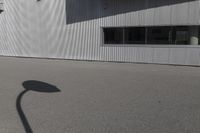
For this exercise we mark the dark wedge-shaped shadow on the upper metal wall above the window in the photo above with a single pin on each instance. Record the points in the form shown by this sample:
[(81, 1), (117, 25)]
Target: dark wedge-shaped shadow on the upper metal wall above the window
[(83, 10)]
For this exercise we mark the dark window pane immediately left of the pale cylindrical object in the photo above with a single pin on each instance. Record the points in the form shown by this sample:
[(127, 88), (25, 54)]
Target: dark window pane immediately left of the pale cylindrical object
[(181, 35)]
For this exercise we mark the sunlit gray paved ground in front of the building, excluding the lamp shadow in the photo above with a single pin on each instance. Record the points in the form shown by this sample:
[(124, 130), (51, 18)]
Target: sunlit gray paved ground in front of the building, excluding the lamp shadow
[(99, 97)]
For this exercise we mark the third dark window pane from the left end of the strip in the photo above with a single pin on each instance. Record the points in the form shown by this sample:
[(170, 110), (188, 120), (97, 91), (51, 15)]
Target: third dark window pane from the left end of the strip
[(159, 35)]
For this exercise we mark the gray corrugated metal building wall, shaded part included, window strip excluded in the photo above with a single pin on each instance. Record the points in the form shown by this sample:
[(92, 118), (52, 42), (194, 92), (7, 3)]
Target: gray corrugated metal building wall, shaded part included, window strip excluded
[(71, 29)]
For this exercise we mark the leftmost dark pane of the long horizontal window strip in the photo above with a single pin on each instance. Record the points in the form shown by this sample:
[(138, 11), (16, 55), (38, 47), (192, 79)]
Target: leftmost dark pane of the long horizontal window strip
[(113, 35)]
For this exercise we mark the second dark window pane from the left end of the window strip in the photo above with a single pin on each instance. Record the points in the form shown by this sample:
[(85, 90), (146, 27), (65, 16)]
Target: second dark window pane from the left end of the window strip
[(135, 35)]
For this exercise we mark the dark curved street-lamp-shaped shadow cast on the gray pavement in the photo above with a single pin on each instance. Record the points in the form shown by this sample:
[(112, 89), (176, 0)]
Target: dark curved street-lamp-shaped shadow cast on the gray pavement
[(32, 85)]
